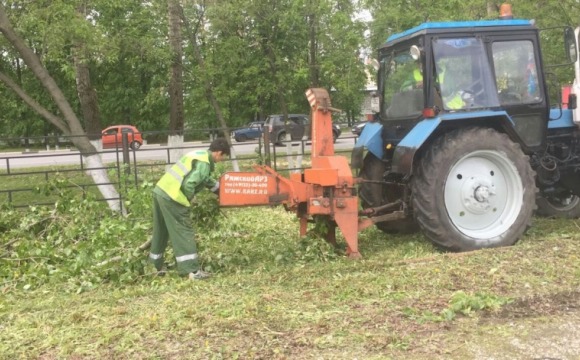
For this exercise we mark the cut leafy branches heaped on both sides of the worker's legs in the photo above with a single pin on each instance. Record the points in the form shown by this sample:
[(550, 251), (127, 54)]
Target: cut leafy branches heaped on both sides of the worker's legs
[(81, 244)]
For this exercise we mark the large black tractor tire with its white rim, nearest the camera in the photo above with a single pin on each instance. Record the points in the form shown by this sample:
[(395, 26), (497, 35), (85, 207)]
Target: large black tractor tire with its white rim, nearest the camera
[(473, 188)]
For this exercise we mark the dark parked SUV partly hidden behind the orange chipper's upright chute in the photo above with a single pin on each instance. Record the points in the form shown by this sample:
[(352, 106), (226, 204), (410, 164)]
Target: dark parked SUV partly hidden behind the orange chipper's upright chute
[(297, 128)]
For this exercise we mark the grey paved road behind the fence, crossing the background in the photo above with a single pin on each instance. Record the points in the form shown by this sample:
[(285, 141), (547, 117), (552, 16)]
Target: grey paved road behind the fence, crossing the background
[(147, 152)]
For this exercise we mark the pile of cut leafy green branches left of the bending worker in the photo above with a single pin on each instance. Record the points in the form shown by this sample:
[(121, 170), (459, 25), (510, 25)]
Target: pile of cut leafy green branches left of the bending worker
[(79, 241)]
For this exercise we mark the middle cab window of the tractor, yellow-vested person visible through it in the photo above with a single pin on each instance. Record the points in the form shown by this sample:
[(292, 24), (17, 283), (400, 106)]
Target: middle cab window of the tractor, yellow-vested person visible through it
[(463, 76)]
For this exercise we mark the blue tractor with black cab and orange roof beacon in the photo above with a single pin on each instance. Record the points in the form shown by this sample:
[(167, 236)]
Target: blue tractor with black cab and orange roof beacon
[(466, 145)]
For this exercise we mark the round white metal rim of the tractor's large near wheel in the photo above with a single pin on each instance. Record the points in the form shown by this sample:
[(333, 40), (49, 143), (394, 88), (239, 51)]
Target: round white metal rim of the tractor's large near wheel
[(483, 194)]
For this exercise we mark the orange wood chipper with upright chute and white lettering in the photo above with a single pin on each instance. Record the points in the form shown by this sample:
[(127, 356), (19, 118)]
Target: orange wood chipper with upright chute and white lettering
[(327, 189)]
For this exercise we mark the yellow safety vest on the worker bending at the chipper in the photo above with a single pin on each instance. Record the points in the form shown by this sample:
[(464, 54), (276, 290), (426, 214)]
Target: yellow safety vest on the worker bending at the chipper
[(171, 182)]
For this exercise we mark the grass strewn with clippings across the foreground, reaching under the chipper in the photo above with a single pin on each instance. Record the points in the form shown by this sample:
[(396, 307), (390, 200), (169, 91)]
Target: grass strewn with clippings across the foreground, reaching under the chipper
[(275, 296)]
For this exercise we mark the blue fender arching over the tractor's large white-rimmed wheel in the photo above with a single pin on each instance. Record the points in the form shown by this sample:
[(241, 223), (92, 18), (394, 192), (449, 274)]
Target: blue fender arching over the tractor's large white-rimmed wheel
[(407, 149)]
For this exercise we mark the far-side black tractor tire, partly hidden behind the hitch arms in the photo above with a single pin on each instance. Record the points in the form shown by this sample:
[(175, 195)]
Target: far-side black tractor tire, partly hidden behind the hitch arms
[(374, 194)]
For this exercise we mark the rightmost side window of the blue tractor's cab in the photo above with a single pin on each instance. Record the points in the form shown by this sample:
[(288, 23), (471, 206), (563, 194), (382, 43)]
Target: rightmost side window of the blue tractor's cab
[(515, 72)]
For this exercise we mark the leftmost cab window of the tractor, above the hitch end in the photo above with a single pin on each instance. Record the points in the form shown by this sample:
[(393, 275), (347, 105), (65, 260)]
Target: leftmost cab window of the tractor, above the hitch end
[(402, 88)]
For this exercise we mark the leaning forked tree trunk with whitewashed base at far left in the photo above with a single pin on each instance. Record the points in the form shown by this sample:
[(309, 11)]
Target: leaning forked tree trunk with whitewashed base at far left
[(70, 125)]
